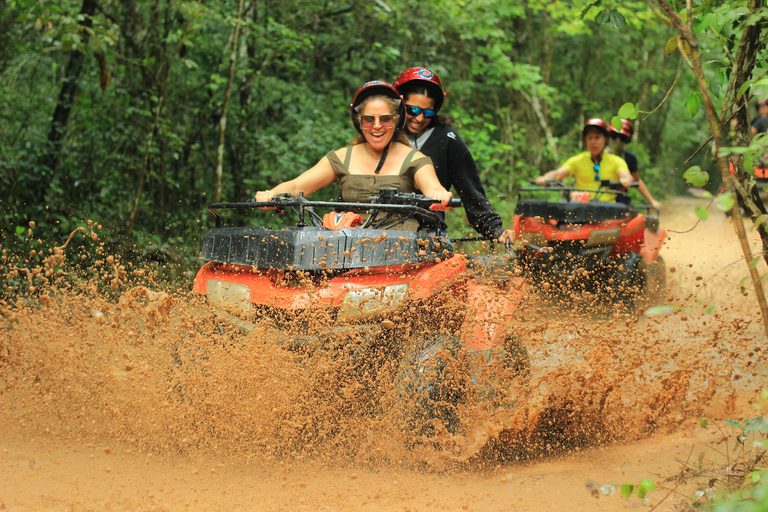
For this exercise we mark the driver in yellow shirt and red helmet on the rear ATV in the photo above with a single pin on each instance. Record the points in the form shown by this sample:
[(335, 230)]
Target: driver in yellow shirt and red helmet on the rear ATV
[(593, 166)]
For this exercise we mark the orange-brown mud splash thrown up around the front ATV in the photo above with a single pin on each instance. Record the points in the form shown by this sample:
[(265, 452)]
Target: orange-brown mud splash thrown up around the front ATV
[(111, 361)]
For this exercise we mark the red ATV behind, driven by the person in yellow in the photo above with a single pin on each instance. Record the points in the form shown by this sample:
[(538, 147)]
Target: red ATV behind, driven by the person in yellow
[(585, 245)]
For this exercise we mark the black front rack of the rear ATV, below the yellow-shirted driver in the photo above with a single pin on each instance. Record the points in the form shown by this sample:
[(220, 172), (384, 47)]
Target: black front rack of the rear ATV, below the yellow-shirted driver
[(570, 212)]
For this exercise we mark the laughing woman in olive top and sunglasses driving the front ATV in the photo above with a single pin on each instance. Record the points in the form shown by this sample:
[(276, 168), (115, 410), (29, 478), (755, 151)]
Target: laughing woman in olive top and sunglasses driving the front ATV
[(379, 157)]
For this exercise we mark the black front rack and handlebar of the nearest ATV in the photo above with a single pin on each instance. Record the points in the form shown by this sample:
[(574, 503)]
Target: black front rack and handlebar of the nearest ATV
[(314, 248)]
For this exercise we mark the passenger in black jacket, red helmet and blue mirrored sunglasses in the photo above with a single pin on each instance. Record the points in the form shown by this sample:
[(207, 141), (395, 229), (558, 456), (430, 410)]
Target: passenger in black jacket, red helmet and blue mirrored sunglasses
[(433, 135)]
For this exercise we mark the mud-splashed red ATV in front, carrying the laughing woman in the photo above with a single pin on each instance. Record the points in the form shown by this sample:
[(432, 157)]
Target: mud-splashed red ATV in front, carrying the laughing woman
[(378, 292)]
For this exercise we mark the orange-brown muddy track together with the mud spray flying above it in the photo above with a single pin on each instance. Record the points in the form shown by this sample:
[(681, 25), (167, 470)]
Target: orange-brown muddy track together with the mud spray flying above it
[(117, 394)]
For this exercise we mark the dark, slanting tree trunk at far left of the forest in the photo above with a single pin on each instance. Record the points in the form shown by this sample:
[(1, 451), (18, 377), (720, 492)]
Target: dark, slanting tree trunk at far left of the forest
[(66, 99)]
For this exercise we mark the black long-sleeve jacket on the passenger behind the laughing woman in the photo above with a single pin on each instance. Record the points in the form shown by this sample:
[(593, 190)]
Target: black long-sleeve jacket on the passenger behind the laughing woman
[(455, 167)]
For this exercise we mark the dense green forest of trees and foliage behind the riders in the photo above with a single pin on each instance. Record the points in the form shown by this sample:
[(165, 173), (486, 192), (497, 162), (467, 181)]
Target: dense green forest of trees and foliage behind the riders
[(112, 110)]
